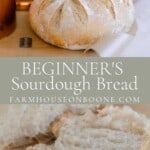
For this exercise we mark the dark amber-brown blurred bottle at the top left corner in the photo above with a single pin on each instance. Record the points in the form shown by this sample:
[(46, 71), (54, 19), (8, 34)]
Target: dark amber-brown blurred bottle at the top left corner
[(7, 16)]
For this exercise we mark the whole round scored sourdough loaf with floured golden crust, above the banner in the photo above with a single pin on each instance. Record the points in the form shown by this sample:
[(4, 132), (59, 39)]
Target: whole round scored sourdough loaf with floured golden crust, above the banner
[(76, 24)]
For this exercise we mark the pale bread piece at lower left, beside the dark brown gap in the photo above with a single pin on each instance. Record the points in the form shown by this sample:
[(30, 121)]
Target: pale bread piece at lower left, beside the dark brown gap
[(27, 120)]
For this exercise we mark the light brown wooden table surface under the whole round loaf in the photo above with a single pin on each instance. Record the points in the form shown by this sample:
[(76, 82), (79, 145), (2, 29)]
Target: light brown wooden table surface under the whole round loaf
[(9, 46)]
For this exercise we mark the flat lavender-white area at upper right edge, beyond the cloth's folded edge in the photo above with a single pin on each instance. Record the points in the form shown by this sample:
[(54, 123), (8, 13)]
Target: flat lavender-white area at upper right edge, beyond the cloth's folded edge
[(140, 46)]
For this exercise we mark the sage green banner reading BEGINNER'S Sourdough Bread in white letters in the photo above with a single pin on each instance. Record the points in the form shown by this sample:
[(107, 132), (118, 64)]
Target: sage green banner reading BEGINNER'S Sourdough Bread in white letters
[(74, 80)]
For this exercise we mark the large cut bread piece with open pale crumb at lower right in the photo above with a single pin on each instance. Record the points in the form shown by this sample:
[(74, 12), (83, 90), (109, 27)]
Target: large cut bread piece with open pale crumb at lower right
[(112, 128)]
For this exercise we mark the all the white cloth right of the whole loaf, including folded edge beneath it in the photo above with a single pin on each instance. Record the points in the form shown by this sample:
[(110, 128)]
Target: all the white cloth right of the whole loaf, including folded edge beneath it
[(125, 45)]
